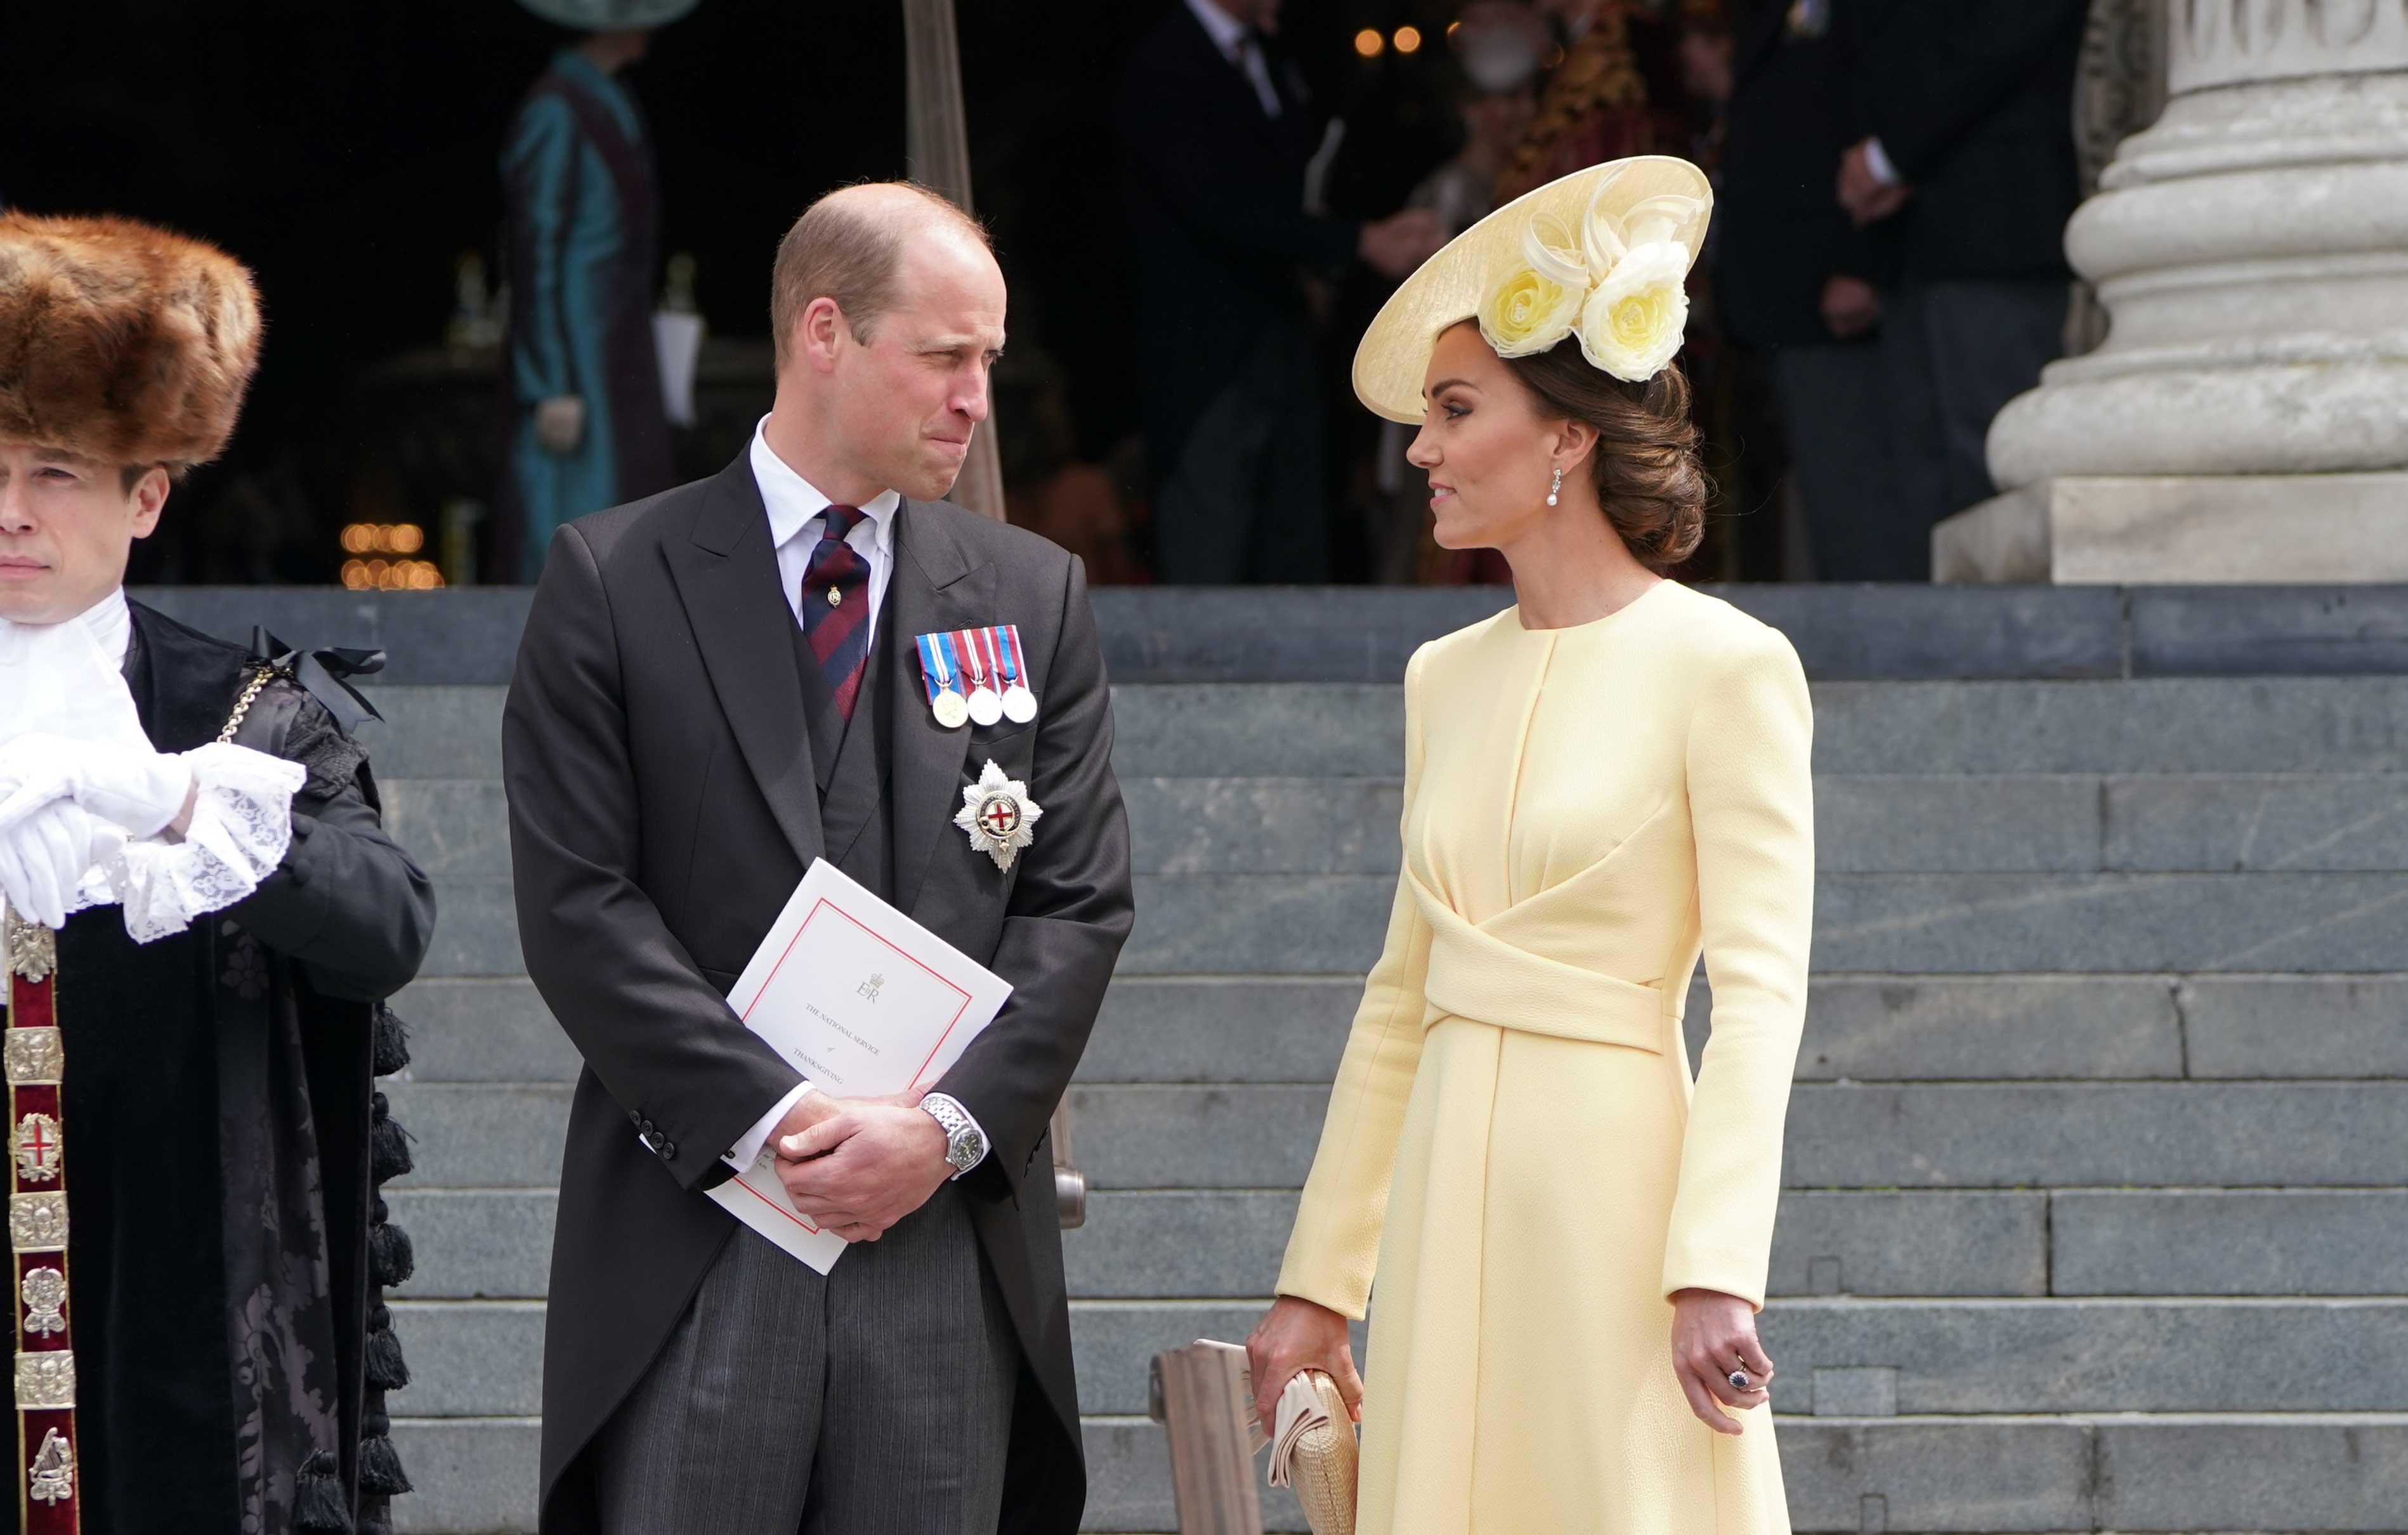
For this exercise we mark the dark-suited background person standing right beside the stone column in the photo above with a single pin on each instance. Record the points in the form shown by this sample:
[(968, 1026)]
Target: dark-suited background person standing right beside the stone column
[(1969, 158)]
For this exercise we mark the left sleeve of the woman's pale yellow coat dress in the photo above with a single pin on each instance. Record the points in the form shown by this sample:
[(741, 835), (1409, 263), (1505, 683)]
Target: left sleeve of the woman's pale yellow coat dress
[(1338, 1223)]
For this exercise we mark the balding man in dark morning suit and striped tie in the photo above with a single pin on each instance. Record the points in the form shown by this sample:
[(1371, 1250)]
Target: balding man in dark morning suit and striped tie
[(716, 689)]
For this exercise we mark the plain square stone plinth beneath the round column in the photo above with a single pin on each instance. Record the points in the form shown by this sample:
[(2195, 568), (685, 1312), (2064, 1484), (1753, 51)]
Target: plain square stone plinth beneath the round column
[(2183, 531)]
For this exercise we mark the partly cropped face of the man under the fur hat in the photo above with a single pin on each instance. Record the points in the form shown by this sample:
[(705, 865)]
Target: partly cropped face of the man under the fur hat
[(66, 531)]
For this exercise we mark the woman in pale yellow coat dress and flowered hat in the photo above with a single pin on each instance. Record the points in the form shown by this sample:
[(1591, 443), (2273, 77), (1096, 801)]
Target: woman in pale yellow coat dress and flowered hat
[(1603, 783)]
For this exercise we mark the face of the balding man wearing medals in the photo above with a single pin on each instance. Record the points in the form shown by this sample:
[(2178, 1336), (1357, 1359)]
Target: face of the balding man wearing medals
[(911, 398)]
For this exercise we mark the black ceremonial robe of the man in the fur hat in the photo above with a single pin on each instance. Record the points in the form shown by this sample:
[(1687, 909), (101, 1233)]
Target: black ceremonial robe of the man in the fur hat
[(223, 1149)]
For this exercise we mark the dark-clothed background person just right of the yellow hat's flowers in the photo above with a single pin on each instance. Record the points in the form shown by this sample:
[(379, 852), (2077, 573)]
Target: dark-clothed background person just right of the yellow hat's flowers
[(1802, 285)]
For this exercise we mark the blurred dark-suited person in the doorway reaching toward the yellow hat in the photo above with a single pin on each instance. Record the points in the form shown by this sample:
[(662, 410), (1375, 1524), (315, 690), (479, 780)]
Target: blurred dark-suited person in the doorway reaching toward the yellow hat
[(1220, 134)]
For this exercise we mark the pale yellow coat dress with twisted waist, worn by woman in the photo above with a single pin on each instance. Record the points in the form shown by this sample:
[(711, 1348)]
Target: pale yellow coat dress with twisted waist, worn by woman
[(1516, 1146)]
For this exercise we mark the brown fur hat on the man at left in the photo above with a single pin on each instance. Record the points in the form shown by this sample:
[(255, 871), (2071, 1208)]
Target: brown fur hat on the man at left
[(122, 343)]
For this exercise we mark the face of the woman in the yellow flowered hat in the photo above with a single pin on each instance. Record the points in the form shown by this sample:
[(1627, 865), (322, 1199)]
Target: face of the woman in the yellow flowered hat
[(1485, 446)]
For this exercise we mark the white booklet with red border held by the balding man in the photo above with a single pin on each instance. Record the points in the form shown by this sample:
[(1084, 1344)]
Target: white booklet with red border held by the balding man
[(863, 1002)]
